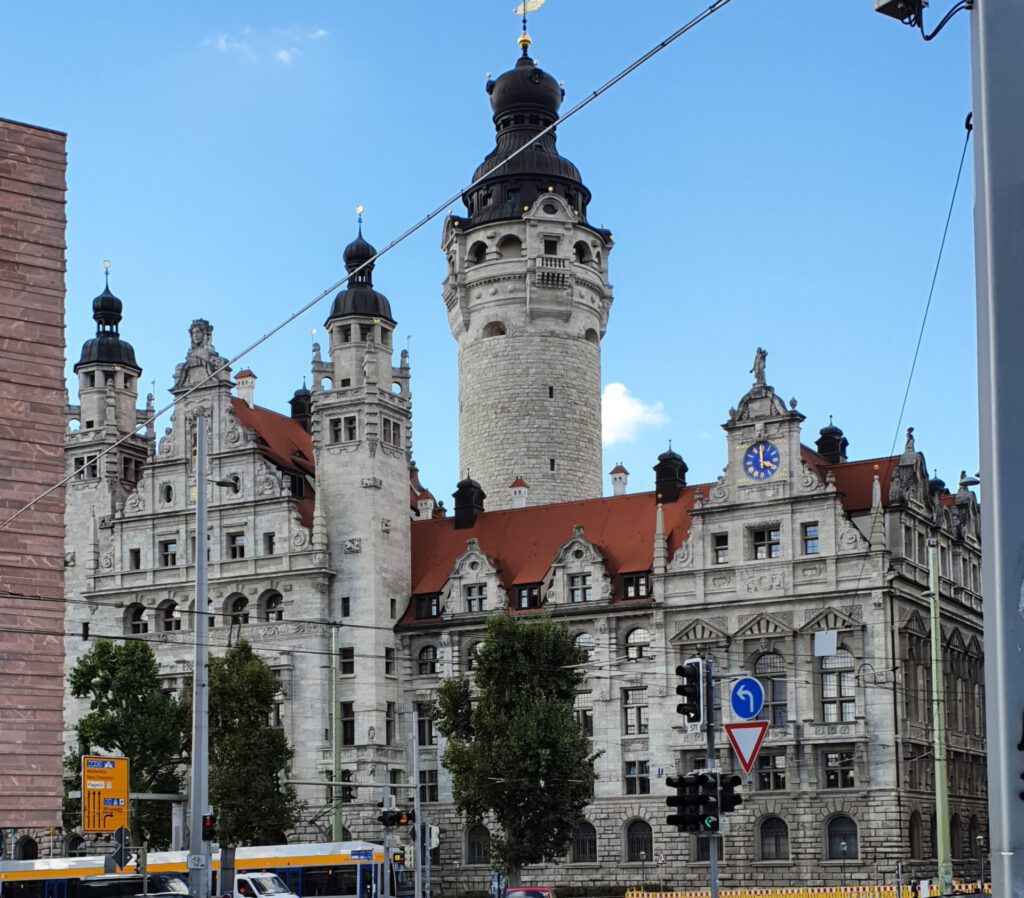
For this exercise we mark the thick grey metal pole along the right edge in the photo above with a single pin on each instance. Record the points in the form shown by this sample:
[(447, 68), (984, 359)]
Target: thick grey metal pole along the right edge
[(998, 74)]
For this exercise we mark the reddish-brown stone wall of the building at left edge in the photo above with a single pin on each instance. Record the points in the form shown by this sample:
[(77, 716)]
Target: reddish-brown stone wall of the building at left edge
[(33, 163)]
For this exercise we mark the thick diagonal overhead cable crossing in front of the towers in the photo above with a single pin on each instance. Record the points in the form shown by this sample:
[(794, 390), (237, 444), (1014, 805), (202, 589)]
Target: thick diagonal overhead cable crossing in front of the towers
[(431, 217)]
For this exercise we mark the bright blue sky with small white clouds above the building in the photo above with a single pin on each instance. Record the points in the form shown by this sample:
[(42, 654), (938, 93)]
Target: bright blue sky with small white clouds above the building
[(780, 178)]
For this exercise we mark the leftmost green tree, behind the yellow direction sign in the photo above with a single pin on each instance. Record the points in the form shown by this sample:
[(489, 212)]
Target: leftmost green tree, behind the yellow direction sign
[(130, 715)]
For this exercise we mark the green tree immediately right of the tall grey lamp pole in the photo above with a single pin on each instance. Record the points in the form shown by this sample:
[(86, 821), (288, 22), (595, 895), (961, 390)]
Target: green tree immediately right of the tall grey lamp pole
[(247, 752)]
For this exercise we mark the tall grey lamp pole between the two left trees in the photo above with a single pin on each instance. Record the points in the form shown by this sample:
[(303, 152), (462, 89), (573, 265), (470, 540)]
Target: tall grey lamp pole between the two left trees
[(199, 851)]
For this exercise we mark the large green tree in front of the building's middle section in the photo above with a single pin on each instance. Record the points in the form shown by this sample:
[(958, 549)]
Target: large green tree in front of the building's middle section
[(516, 749)]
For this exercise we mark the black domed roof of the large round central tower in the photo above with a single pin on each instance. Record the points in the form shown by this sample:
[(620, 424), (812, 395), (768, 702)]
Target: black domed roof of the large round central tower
[(526, 101)]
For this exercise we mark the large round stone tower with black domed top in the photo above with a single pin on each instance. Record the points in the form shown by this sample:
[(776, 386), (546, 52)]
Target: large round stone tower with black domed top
[(528, 297)]
